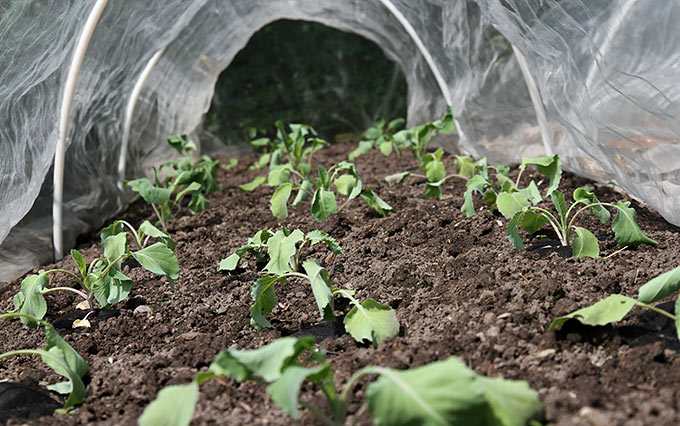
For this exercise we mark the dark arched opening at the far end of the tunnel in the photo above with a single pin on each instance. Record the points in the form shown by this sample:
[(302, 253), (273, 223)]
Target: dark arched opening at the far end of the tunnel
[(305, 72)]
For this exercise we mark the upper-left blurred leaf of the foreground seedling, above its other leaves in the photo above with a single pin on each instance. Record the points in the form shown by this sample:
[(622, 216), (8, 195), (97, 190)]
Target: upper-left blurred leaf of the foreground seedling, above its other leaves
[(267, 362)]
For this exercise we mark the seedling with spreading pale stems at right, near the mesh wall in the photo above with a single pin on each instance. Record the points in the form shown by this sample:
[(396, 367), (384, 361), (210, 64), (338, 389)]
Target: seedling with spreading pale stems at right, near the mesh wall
[(523, 211)]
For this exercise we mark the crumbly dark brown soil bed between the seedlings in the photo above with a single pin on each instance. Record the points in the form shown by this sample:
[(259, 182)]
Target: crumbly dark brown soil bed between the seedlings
[(457, 285)]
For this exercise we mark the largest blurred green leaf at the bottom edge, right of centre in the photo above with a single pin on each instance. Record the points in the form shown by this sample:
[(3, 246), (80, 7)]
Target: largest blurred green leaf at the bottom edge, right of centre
[(449, 393)]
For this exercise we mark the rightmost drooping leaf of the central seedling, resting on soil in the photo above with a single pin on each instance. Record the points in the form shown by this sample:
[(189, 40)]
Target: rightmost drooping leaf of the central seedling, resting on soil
[(370, 320)]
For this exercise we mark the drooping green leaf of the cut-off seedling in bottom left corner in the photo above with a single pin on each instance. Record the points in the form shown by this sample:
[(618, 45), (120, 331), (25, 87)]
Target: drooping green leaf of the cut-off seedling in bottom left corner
[(65, 361)]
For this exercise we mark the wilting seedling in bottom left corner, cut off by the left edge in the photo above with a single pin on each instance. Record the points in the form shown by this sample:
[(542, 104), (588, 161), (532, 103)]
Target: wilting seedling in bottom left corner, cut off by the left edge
[(59, 356)]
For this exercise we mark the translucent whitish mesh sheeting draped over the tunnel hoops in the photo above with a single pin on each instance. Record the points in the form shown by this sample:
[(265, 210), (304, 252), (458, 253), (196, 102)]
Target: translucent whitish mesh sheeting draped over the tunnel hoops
[(606, 72)]
